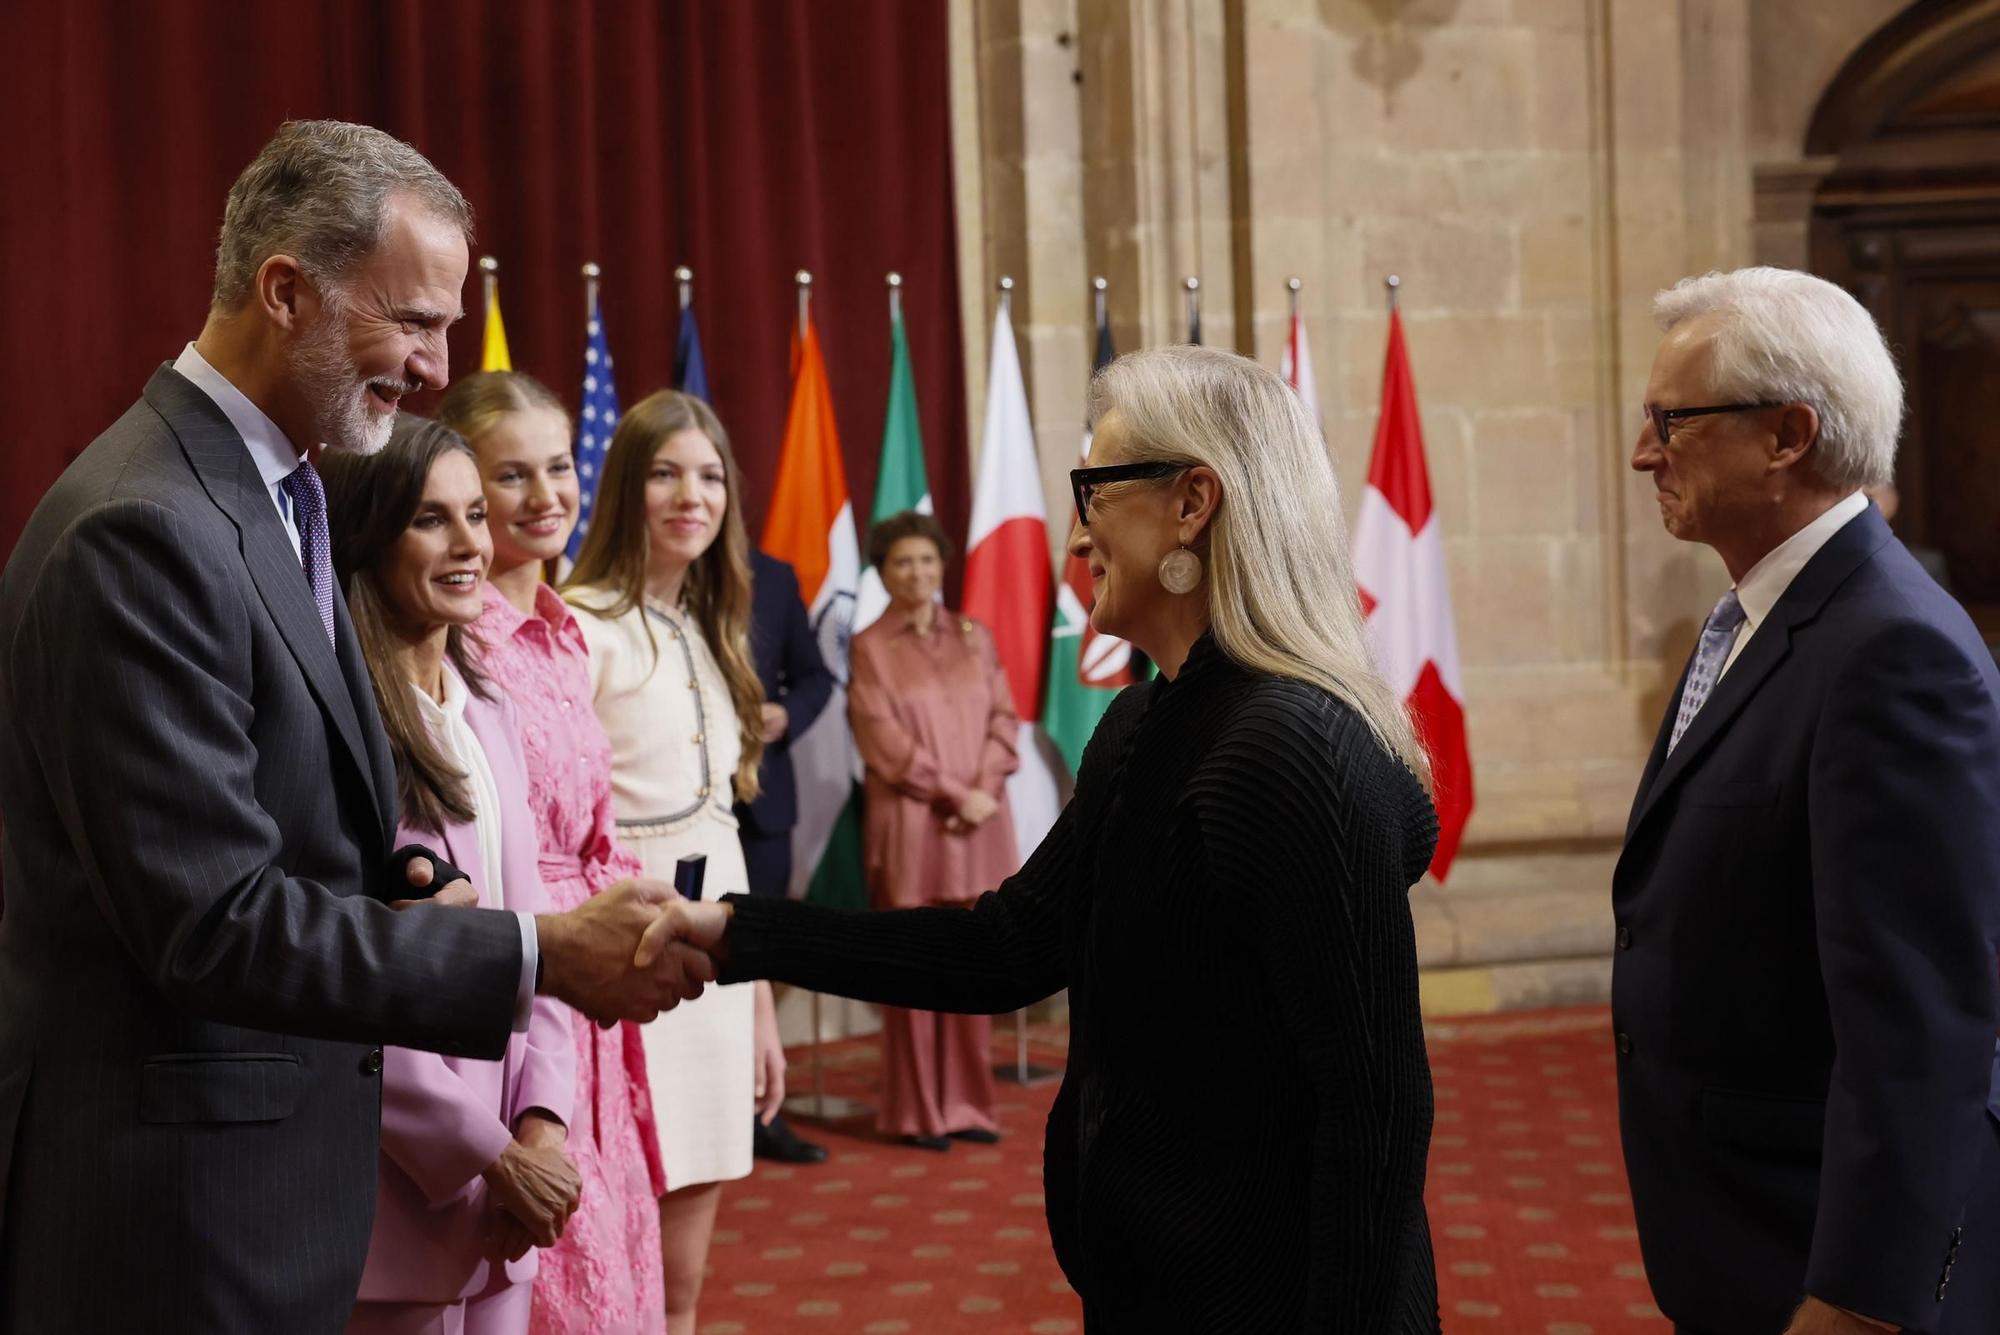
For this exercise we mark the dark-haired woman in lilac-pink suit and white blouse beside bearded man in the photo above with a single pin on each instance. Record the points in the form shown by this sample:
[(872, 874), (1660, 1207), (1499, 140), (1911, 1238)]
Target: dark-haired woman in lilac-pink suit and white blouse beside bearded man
[(473, 1172)]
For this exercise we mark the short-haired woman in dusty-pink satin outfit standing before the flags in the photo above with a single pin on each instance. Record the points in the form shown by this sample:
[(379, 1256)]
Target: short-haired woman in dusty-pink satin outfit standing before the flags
[(935, 724)]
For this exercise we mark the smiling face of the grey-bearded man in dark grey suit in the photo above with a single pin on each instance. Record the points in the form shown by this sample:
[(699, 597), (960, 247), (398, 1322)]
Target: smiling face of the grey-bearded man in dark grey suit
[(379, 331)]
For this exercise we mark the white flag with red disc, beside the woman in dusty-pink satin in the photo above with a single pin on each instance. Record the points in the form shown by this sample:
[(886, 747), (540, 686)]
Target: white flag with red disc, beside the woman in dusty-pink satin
[(1011, 581)]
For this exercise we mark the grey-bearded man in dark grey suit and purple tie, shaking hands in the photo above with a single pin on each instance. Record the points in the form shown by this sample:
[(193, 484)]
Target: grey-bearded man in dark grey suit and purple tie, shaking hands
[(197, 962)]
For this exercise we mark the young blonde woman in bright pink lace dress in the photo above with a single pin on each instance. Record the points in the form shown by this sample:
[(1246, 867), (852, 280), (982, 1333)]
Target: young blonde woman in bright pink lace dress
[(605, 1276)]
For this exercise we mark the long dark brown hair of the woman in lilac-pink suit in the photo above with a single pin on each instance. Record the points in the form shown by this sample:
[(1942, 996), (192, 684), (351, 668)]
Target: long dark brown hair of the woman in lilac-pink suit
[(371, 501)]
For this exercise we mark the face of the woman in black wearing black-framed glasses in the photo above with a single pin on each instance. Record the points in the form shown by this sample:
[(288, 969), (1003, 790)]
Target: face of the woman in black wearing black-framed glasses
[(1133, 525)]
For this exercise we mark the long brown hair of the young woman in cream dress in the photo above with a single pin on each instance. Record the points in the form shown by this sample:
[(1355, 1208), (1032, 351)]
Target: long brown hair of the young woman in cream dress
[(619, 547)]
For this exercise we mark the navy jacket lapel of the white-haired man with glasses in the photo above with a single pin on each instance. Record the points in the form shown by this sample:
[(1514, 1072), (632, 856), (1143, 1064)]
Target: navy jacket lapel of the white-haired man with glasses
[(1763, 657)]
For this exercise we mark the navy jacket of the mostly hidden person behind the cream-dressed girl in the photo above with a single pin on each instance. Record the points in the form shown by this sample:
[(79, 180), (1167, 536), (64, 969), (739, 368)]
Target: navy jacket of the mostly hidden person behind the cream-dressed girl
[(795, 676)]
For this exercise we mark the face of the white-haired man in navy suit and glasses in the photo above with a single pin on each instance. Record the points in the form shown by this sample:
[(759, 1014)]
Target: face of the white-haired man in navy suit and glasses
[(1713, 475)]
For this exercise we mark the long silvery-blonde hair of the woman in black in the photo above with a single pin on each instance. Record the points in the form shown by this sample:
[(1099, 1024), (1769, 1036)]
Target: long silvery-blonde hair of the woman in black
[(1281, 589)]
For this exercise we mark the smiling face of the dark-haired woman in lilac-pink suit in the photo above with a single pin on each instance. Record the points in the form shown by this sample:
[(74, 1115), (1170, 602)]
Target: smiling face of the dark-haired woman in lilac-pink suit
[(435, 573)]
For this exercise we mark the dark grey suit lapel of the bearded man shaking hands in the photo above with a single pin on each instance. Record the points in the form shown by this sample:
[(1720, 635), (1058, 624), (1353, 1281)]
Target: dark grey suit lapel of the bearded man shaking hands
[(229, 475)]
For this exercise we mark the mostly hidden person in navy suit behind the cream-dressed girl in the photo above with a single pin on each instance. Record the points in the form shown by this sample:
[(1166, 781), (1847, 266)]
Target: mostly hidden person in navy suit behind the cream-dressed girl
[(797, 686)]
